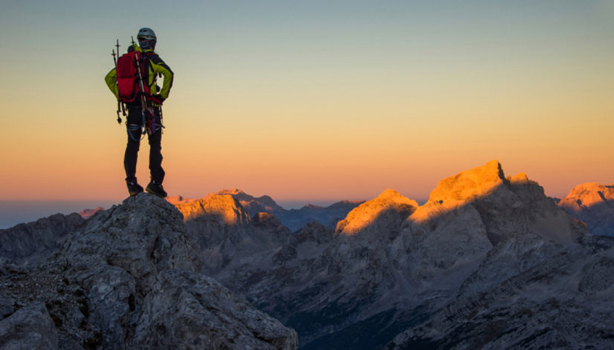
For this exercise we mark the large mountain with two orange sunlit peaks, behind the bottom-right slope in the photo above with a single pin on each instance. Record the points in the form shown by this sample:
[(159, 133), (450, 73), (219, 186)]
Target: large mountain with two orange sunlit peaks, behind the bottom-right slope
[(392, 265)]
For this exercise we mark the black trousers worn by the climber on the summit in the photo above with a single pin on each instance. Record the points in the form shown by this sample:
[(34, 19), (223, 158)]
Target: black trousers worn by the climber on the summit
[(135, 122)]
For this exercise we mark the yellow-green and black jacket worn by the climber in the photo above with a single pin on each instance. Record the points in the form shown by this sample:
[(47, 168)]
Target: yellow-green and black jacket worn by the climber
[(155, 66)]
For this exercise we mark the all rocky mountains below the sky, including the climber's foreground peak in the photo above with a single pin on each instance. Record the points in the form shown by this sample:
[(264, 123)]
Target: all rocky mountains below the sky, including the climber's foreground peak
[(489, 262)]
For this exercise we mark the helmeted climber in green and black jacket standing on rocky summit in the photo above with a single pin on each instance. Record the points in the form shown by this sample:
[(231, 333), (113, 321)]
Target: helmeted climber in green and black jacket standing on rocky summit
[(144, 109)]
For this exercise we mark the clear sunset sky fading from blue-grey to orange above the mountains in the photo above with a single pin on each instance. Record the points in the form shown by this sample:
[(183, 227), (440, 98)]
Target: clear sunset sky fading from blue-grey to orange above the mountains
[(311, 100)]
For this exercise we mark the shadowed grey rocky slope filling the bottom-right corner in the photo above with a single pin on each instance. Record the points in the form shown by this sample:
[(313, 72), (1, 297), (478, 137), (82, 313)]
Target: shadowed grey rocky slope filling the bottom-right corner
[(565, 302)]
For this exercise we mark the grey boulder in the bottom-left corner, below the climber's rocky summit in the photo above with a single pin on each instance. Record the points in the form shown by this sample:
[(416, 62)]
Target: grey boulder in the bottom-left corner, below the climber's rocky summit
[(29, 328)]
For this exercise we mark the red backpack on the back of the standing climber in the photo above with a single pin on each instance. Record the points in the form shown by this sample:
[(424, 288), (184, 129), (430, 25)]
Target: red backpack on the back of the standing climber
[(128, 80)]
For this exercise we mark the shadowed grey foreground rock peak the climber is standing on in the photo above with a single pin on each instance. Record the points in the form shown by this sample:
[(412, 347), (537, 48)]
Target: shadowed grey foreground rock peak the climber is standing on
[(131, 279)]
